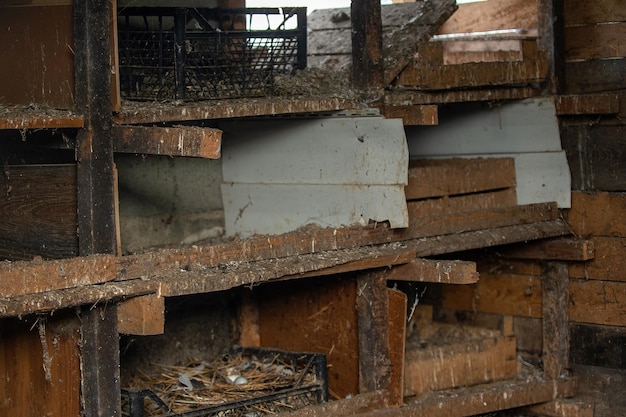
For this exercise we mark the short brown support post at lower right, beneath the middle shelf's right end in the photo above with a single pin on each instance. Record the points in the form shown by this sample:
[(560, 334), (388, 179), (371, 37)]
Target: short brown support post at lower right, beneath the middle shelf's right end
[(555, 291)]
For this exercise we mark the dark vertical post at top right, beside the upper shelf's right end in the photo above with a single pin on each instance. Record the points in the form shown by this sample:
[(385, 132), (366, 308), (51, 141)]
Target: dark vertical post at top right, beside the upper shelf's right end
[(551, 27)]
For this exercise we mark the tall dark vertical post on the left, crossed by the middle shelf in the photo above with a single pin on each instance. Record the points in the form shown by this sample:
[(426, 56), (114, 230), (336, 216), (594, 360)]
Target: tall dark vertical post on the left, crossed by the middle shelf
[(100, 380)]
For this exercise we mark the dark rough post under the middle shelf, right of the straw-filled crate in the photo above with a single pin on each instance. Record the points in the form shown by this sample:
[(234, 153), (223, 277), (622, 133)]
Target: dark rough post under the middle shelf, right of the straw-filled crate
[(372, 302)]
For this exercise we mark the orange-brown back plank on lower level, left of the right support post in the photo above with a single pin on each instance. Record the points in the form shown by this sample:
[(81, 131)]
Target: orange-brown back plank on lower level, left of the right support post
[(515, 295)]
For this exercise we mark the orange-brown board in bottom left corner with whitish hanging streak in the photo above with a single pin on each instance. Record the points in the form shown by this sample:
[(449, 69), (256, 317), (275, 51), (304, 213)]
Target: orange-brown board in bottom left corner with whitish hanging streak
[(40, 367)]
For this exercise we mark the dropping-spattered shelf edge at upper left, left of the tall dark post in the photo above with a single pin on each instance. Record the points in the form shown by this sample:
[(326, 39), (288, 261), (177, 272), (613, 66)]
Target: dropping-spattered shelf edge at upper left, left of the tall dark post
[(17, 118)]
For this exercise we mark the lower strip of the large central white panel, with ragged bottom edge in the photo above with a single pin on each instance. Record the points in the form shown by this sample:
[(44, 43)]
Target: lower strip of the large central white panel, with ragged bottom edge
[(277, 208)]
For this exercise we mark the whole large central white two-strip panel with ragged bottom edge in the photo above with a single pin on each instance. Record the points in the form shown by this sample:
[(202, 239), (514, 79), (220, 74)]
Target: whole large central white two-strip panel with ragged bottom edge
[(281, 174)]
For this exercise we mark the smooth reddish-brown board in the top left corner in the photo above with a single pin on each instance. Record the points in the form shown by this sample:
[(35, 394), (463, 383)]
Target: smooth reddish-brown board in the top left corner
[(38, 57)]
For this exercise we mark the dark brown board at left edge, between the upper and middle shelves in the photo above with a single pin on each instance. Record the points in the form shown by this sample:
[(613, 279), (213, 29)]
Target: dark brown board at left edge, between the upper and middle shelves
[(39, 212)]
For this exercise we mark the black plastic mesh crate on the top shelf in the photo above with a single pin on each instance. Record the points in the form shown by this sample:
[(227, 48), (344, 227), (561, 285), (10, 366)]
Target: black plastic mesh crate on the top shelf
[(168, 53)]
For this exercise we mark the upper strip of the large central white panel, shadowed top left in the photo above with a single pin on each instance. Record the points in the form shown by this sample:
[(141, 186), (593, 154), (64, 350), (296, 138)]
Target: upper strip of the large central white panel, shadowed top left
[(338, 150)]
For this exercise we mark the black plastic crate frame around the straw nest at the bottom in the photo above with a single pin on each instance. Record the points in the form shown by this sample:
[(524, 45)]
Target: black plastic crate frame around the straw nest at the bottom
[(283, 398)]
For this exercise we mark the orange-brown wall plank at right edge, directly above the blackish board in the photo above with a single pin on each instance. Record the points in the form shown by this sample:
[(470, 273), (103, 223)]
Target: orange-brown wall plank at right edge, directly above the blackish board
[(598, 302)]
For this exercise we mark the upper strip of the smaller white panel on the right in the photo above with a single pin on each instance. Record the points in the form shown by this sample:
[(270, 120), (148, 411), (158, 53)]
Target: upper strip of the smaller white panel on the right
[(521, 126)]
